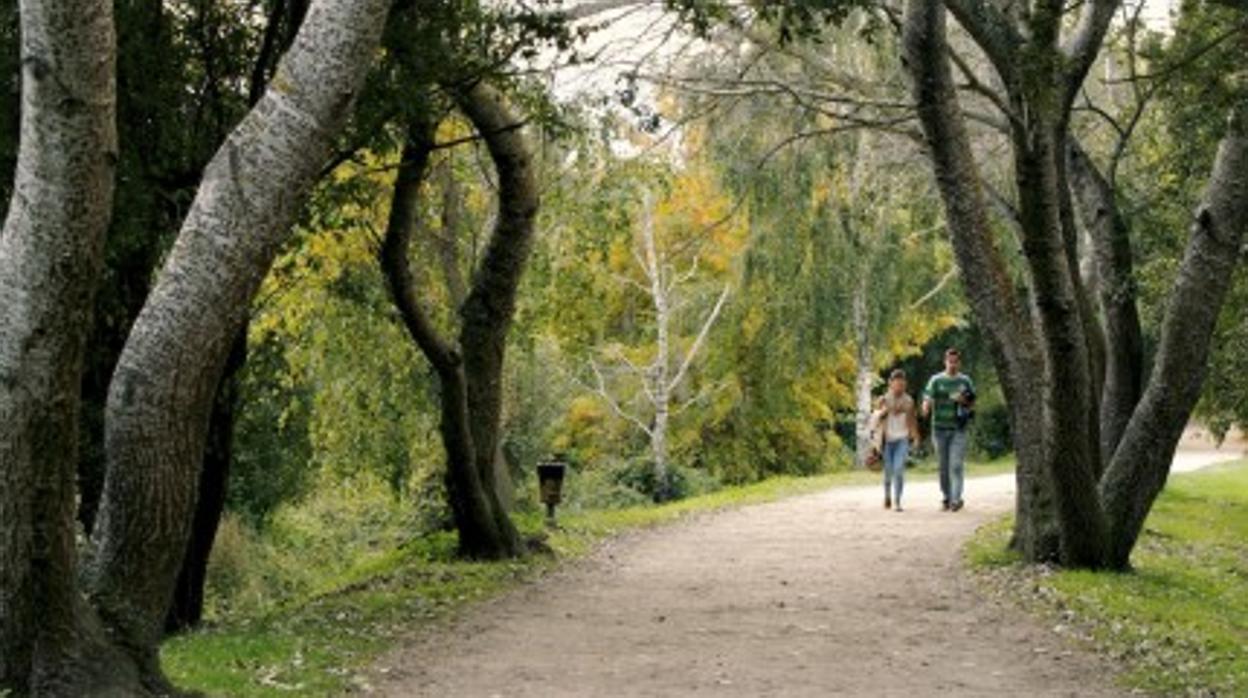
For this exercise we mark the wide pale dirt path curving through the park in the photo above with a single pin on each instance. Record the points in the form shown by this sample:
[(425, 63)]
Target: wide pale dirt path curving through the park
[(826, 595)]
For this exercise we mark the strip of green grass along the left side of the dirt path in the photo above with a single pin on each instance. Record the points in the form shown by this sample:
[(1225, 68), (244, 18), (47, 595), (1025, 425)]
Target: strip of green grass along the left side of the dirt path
[(323, 644)]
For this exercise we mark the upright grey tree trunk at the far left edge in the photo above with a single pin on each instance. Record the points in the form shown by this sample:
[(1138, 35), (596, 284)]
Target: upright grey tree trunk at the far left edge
[(51, 258)]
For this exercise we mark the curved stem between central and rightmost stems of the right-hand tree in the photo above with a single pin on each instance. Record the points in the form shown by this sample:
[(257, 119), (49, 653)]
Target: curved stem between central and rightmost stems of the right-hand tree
[(1111, 248)]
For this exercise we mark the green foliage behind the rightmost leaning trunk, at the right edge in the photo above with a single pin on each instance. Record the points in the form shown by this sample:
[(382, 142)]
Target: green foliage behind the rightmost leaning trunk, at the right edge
[(1200, 72)]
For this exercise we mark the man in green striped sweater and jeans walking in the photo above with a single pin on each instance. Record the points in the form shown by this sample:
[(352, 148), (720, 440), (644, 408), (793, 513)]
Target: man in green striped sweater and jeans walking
[(949, 399)]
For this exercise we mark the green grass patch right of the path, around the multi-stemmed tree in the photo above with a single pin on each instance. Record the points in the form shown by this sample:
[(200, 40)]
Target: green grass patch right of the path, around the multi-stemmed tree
[(1179, 625)]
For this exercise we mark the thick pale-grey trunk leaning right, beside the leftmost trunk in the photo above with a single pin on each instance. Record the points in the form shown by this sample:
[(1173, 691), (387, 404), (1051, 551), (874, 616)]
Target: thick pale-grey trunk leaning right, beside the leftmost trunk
[(162, 395)]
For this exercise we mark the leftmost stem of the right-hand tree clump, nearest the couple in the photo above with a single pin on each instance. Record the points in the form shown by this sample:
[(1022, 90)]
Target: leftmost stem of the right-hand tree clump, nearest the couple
[(1013, 338)]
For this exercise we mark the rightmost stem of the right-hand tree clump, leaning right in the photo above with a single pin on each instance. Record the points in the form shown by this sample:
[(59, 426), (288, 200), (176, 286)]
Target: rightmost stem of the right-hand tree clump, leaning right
[(1141, 465)]
